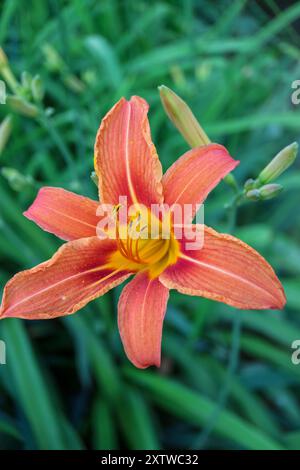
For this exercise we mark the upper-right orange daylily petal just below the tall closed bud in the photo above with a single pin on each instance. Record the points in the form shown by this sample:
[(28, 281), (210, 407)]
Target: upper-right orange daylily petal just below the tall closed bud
[(191, 178)]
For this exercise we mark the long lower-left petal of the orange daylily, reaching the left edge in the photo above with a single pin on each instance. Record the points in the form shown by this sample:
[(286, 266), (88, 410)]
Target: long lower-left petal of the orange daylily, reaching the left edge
[(74, 276)]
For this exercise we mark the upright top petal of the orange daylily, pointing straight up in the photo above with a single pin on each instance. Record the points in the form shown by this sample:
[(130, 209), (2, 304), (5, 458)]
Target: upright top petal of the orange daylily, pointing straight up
[(126, 161)]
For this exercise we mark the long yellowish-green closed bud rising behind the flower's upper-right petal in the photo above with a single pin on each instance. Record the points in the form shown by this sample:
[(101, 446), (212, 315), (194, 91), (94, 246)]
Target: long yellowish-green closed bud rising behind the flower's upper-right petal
[(183, 118)]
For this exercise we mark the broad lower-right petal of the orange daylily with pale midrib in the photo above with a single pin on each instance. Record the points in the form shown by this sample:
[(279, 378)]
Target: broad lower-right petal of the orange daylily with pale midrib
[(226, 270)]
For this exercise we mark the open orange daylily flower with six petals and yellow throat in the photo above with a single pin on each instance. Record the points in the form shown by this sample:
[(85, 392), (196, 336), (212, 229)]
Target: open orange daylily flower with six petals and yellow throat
[(224, 269)]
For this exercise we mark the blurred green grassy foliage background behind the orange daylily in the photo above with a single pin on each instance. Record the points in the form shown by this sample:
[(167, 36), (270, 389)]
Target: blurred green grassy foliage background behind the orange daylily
[(227, 380)]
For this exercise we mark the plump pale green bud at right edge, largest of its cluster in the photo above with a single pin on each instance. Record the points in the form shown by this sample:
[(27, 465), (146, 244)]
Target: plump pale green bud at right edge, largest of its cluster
[(279, 164)]
